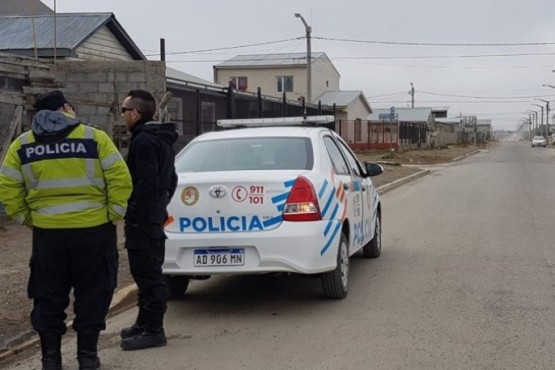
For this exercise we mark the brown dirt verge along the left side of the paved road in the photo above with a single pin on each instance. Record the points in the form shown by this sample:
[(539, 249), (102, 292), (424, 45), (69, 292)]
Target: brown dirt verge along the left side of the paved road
[(15, 241)]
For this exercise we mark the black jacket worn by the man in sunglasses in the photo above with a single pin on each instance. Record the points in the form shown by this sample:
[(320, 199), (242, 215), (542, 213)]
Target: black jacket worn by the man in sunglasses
[(151, 163)]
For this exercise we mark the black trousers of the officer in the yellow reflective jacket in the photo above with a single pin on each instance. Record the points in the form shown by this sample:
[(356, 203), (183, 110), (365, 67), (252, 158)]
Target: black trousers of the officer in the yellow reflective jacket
[(85, 259)]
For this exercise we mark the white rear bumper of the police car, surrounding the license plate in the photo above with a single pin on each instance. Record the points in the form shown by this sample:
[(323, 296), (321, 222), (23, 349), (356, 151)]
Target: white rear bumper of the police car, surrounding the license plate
[(292, 247)]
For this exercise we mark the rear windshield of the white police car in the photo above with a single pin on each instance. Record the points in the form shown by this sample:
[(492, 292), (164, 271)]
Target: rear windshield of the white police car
[(246, 154)]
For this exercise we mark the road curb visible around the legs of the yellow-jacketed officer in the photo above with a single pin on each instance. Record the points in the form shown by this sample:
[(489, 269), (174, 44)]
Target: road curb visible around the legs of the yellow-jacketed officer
[(122, 300)]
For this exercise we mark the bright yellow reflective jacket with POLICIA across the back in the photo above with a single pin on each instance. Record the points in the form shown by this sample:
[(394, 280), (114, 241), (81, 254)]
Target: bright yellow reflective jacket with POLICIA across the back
[(79, 181)]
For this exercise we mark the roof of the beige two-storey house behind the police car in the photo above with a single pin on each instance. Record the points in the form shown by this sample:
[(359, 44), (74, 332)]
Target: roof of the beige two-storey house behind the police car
[(281, 59)]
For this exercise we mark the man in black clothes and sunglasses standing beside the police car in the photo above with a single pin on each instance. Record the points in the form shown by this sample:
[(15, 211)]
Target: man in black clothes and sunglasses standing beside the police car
[(151, 163)]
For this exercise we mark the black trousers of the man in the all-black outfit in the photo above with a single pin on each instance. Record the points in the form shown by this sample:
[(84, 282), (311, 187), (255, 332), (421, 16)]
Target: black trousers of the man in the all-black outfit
[(145, 248)]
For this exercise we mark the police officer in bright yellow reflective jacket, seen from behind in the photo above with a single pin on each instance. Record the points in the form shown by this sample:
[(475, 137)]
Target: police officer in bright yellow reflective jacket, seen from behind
[(69, 183)]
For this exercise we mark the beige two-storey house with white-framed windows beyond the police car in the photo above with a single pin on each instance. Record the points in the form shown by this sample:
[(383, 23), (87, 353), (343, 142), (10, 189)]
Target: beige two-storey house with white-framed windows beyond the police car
[(279, 74)]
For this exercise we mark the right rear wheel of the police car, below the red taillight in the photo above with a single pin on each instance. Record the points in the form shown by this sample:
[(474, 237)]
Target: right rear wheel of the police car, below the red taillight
[(336, 283)]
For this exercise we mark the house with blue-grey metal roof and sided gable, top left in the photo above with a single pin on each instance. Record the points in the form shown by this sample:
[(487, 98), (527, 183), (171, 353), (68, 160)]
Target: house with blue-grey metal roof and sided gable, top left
[(79, 36)]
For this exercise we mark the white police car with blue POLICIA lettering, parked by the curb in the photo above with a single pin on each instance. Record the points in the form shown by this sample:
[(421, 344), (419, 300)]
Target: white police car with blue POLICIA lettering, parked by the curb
[(281, 195)]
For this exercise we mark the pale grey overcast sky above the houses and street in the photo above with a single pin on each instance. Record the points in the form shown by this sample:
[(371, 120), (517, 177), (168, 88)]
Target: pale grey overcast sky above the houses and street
[(498, 76)]
